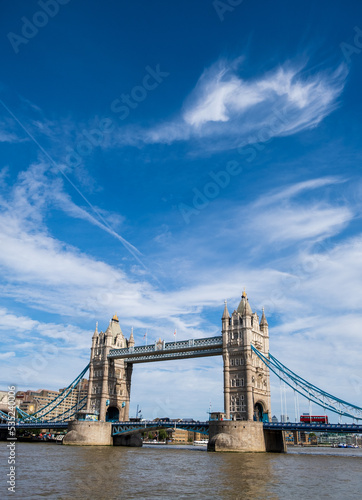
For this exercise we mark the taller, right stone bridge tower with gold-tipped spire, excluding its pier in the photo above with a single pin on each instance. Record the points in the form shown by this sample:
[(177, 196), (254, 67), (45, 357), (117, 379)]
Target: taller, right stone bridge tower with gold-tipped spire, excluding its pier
[(246, 378)]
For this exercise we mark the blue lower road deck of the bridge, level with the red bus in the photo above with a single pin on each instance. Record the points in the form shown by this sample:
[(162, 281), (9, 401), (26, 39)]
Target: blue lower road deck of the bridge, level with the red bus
[(202, 427)]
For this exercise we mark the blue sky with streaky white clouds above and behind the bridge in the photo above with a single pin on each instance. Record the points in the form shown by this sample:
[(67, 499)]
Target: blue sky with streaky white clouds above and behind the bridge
[(157, 158)]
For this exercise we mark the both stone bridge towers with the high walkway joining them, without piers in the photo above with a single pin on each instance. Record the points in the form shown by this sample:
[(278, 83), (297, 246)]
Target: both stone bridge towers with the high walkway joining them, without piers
[(246, 377)]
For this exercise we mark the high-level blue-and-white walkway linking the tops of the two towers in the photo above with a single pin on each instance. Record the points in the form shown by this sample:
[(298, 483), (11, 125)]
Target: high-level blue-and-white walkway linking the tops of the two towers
[(161, 350)]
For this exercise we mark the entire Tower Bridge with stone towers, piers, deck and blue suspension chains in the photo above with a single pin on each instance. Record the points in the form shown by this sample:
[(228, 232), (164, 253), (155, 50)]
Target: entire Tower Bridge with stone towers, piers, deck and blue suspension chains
[(245, 424)]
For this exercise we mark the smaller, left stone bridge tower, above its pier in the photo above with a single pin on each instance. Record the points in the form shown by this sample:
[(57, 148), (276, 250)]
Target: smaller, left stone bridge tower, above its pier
[(109, 387)]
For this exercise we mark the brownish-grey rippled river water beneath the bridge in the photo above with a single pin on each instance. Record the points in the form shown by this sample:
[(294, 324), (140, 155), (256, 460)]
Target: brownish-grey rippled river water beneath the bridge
[(63, 472)]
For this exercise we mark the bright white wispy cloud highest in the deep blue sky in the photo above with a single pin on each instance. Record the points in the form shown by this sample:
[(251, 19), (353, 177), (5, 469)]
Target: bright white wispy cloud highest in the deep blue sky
[(226, 111)]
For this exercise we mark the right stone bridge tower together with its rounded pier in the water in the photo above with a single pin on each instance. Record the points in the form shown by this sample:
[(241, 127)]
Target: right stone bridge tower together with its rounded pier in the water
[(246, 385)]
